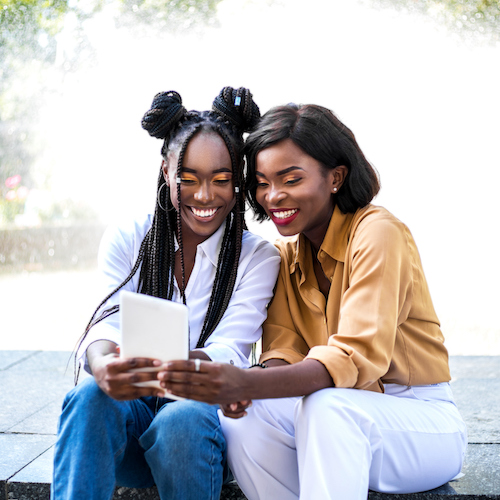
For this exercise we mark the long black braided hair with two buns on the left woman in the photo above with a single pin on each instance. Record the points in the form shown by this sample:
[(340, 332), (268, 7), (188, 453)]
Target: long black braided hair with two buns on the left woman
[(233, 113)]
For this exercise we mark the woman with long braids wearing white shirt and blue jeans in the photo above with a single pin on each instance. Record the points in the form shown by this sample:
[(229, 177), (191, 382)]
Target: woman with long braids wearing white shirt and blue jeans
[(195, 250)]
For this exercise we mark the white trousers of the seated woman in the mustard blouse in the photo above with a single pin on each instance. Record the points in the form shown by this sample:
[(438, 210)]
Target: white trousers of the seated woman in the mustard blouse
[(338, 443)]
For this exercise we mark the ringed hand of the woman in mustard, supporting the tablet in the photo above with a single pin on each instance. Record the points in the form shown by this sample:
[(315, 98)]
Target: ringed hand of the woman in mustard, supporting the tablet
[(213, 383)]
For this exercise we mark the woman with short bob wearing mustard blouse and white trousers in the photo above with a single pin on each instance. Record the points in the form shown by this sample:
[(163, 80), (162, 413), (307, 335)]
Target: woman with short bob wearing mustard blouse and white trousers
[(353, 391)]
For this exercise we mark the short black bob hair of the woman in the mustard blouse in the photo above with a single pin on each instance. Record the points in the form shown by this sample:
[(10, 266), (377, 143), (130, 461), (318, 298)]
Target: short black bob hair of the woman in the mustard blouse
[(320, 134)]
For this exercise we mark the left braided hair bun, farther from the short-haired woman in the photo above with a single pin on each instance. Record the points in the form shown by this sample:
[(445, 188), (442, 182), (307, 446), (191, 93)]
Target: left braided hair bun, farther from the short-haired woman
[(165, 113)]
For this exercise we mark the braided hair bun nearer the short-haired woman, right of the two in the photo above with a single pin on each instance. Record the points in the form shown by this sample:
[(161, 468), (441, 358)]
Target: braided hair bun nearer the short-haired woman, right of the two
[(238, 107)]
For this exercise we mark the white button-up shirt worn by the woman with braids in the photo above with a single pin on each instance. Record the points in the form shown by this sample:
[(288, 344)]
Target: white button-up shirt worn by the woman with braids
[(241, 325)]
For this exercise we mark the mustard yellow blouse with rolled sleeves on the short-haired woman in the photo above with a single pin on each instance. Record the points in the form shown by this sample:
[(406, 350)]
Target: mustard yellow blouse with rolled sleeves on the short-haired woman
[(378, 324)]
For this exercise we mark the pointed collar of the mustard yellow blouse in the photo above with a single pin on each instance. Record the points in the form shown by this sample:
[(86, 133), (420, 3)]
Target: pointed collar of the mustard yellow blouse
[(334, 244)]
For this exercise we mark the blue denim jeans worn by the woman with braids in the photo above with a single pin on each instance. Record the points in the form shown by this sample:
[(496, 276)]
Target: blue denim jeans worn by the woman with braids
[(177, 445)]
